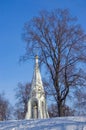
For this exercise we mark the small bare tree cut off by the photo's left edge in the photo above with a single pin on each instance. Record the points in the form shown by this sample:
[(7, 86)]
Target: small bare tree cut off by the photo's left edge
[(5, 108)]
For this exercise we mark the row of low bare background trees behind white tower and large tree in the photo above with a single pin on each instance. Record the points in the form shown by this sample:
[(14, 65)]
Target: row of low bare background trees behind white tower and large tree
[(19, 110)]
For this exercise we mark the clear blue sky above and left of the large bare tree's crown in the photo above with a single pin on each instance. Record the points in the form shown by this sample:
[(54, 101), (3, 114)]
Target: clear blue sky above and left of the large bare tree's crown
[(13, 15)]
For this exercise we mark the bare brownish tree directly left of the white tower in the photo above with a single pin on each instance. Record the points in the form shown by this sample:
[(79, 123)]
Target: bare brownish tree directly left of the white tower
[(22, 96)]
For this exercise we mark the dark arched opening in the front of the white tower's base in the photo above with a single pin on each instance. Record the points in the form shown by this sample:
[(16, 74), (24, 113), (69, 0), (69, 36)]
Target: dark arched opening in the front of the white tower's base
[(34, 109)]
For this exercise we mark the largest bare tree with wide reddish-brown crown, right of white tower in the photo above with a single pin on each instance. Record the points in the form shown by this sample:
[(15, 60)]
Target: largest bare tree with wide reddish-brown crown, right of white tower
[(61, 45)]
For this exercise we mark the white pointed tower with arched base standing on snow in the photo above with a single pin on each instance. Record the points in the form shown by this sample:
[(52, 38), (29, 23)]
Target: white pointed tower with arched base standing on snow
[(37, 104)]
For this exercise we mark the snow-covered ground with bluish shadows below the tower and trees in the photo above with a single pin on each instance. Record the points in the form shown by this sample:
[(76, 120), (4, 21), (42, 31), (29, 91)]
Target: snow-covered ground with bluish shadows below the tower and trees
[(63, 123)]
